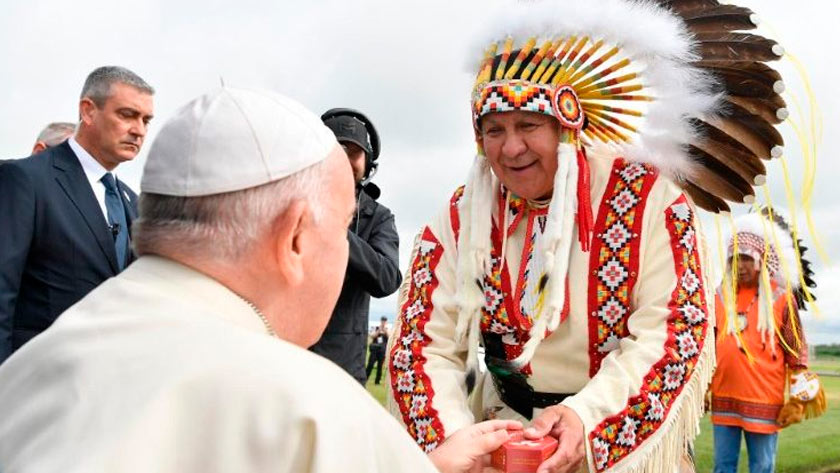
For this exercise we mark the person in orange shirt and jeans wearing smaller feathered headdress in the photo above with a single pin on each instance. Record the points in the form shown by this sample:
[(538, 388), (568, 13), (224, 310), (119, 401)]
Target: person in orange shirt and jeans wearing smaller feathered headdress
[(759, 344)]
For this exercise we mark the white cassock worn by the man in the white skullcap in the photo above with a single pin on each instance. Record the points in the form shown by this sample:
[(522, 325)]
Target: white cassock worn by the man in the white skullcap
[(163, 369)]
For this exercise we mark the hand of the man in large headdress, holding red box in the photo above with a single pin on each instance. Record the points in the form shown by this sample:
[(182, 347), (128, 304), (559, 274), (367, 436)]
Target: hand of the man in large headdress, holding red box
[(563, 424)]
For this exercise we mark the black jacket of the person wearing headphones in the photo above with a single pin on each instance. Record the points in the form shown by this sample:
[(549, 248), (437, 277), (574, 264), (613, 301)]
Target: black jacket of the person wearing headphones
[(372, 270)]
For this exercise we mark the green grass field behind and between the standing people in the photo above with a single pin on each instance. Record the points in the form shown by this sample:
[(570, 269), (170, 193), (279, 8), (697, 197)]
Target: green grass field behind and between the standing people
[(809, 447)]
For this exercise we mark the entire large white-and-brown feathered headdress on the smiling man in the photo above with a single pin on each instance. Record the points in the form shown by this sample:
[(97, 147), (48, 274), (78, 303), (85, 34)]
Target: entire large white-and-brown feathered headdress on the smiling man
[(645, 76)]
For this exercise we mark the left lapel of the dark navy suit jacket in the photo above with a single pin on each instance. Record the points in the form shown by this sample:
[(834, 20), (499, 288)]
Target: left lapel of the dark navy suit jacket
[(72, 179)]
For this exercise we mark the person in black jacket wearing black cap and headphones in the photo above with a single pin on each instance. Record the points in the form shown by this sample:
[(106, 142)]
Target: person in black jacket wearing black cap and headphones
[(373, 264)]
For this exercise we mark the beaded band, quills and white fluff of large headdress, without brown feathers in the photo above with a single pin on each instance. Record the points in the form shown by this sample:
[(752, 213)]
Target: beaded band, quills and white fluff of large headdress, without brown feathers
[(625, 68)]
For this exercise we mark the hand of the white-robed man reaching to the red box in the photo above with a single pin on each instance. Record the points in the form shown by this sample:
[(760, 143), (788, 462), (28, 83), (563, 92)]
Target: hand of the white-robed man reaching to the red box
[(466, 451)]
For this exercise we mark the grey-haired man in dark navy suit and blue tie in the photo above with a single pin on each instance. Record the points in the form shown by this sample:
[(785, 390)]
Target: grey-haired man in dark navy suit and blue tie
[(64, 217)]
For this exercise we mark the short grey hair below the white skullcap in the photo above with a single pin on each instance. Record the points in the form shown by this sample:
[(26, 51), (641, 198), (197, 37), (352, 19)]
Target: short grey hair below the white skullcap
[(226, 226)]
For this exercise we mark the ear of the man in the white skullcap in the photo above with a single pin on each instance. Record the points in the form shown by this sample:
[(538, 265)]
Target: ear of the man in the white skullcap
[(290, 241)]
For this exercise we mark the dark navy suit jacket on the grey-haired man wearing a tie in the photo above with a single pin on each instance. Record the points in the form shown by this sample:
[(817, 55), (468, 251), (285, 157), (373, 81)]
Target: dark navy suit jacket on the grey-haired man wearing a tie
[(55, 244)]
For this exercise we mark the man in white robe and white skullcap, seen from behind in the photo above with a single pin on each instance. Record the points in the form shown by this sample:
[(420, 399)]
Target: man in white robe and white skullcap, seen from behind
[(194, 359)]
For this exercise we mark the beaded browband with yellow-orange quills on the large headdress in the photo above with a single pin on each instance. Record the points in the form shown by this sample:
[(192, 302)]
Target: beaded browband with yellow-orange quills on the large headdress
[(570, 79)]
